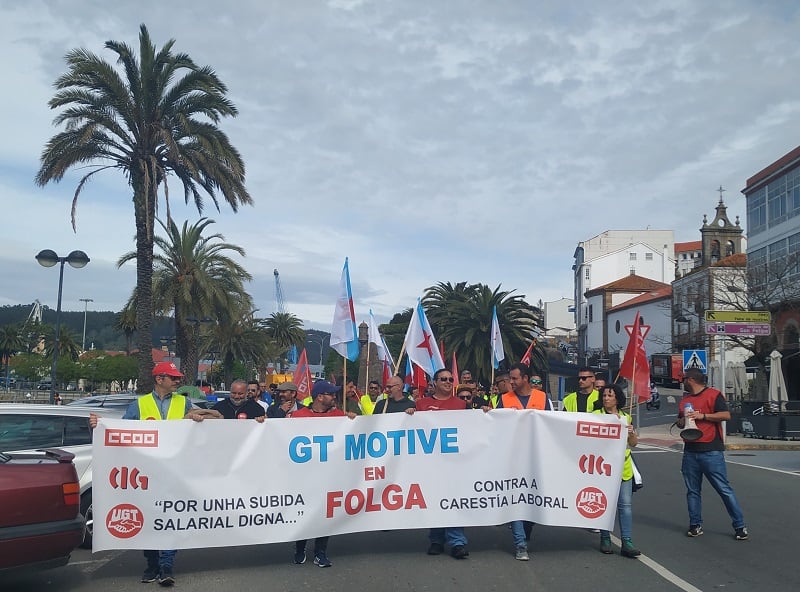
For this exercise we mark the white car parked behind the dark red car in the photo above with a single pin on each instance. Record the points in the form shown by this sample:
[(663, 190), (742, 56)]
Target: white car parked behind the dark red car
[(25, 427)]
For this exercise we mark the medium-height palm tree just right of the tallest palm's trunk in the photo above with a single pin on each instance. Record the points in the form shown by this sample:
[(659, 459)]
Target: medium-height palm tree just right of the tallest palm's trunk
[(194, 278)]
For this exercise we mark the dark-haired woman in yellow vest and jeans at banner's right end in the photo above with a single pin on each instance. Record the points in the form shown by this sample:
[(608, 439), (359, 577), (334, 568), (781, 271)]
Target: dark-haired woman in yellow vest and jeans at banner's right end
[(613, 402)]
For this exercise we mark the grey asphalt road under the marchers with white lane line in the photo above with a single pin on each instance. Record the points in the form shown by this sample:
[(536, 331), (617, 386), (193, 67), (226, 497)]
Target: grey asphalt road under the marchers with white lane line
[(563, 559)]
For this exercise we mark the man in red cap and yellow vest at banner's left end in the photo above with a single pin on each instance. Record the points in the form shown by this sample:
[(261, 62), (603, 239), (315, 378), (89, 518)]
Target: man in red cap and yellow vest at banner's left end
[(162, 403)]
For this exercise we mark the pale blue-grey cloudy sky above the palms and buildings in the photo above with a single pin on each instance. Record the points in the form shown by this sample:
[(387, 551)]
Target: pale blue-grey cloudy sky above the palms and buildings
[(427, 141)]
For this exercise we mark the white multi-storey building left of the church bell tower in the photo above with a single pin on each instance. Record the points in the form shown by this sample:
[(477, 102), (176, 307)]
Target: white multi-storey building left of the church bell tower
[(615, 254)]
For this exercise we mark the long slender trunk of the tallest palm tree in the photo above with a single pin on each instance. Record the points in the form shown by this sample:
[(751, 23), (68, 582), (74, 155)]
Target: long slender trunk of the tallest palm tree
[(144, 207)]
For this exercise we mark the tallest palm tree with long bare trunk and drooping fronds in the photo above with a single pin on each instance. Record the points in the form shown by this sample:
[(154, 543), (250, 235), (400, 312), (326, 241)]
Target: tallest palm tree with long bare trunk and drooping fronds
[(157, 116)]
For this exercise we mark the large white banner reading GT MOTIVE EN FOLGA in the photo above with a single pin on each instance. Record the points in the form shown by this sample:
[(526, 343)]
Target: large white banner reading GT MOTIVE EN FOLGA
[(183, 484)]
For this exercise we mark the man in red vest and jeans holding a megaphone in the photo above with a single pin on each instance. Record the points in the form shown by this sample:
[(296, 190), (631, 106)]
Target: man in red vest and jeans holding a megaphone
[(700, 415)]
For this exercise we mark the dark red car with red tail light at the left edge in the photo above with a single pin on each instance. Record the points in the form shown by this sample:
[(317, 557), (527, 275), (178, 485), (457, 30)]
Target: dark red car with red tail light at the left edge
[(40, 521)]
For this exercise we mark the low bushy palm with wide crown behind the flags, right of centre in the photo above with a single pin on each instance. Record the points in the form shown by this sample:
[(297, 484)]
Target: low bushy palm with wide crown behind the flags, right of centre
[(463, 317)]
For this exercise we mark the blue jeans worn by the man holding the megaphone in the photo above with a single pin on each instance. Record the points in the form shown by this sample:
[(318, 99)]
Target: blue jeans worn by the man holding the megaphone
[(711, 464)]
